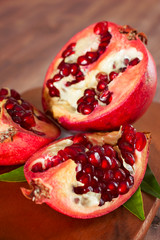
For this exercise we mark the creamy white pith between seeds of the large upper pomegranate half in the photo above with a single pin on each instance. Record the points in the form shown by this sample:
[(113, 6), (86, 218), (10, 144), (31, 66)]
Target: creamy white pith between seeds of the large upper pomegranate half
[(112, 62)]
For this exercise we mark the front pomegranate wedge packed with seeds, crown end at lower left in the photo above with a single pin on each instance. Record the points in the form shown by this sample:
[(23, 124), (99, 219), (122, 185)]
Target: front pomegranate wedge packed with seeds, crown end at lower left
[(88, 175)]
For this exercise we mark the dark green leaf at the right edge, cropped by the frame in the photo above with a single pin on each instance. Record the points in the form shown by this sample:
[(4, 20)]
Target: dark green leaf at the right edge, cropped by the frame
[(150, 184)]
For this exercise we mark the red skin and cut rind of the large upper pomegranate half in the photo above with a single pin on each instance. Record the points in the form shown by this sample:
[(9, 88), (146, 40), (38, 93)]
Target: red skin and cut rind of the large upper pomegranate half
[(126, 106)]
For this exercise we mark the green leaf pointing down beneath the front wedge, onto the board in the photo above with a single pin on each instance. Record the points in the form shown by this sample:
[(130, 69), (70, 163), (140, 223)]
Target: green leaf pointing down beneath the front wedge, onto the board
[(135, 205)]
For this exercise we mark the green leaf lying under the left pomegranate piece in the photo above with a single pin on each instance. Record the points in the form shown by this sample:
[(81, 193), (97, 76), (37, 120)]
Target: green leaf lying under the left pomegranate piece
[(16, 175)]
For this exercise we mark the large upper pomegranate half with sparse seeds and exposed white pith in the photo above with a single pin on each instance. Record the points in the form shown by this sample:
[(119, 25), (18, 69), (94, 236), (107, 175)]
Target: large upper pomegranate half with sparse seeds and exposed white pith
[(103, 77)]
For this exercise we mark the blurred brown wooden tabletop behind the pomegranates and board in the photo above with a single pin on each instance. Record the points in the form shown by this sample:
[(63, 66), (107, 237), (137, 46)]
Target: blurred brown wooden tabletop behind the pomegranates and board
[(33, 31)]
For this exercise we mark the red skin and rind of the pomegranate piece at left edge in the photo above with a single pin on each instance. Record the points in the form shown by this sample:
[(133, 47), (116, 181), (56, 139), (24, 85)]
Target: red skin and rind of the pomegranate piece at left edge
[(17, 144)]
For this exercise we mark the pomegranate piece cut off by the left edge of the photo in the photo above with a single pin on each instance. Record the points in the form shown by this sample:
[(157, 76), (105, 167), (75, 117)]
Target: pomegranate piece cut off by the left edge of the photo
[(23, 128)]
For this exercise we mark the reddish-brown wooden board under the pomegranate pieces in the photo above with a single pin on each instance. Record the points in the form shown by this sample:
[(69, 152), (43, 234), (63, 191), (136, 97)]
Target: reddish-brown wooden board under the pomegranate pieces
[(22, 219)]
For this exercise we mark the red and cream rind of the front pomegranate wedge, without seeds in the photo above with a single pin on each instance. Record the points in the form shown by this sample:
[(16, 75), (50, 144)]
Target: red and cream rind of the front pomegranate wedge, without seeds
[(58, 182)]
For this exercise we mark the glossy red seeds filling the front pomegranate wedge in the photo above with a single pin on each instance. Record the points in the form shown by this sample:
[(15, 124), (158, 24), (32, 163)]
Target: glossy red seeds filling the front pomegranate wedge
[(100, 168)]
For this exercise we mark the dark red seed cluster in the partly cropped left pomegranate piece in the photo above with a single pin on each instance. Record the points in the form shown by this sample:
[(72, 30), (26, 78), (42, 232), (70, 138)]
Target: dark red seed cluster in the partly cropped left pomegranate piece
[(20, 111)]
